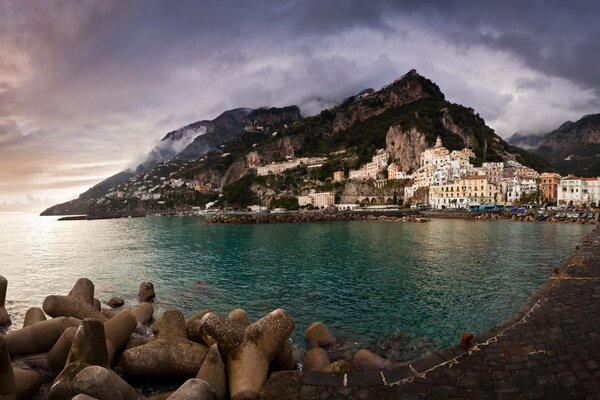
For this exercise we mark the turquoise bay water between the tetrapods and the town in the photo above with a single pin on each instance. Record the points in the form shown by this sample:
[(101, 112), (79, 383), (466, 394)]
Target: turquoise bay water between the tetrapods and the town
[(421, 285)]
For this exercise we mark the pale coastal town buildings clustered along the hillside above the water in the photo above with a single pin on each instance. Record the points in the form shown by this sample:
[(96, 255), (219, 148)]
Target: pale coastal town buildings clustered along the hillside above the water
[(444, 180)]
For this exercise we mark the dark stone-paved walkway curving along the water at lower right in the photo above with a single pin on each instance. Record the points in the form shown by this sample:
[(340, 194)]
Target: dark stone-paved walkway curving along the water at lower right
[(550, 349)]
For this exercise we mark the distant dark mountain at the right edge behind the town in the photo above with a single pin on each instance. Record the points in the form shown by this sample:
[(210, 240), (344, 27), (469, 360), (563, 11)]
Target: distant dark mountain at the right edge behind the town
[(572, 148)]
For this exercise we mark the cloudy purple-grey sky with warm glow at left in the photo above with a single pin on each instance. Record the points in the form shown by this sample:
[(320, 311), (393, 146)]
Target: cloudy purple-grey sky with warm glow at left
[(87, 87)]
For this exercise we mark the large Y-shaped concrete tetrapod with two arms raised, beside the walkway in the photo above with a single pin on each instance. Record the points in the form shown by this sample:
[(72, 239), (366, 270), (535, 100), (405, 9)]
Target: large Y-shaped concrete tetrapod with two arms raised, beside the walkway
[(248, 350)]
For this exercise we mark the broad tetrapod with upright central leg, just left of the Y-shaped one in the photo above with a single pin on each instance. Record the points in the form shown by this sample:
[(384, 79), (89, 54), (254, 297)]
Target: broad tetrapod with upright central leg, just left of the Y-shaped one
[(171, 354)]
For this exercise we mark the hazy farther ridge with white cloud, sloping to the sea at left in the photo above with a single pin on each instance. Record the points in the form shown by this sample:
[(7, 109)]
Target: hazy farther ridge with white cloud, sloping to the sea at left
[(190, 142)]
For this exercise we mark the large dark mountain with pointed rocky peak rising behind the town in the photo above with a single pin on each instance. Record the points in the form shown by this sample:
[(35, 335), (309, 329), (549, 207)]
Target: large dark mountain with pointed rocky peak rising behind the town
[(404, 117)]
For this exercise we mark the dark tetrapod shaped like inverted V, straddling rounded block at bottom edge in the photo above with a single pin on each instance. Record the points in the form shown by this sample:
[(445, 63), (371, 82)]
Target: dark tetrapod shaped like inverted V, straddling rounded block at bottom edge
[(89, 348)]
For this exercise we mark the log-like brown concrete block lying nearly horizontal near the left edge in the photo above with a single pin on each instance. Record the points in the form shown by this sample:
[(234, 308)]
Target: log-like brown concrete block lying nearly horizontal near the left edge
[(38, 338)]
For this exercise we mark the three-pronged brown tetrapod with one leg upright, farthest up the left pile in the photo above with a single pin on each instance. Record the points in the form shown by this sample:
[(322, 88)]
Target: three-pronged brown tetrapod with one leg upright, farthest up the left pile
[(79, 303)]
